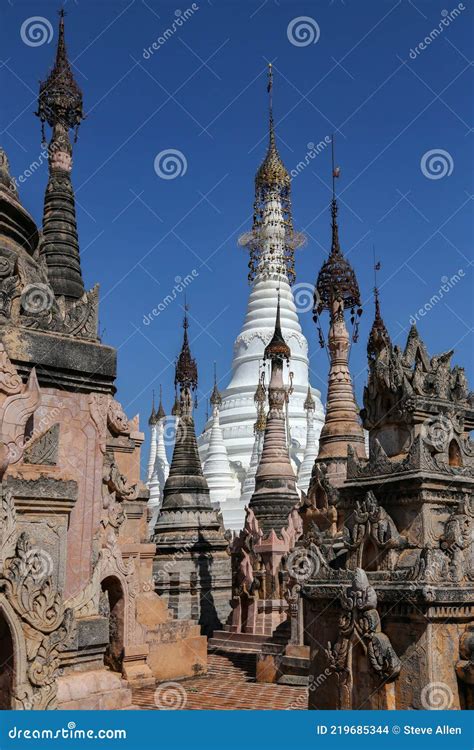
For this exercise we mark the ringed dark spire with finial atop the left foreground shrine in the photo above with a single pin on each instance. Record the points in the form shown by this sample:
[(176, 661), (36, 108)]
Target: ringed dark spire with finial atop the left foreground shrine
[(60, 105)]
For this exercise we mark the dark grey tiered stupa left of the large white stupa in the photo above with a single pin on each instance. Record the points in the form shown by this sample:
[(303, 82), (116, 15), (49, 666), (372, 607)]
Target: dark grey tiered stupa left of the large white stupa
[(192, 568)]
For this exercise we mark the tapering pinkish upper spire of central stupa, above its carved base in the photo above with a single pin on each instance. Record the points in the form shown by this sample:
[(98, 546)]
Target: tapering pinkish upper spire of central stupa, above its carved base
[(275, 493)]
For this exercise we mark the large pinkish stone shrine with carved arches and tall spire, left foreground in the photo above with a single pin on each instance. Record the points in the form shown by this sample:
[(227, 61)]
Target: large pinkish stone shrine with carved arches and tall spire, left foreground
[(79, 620)]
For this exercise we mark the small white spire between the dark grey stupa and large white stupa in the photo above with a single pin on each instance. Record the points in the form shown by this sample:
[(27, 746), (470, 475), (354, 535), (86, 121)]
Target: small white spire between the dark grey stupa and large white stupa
[(217, 471)]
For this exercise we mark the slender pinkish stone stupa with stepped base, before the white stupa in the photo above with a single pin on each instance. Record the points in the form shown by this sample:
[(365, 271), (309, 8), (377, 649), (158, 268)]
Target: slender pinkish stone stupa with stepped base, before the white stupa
[(260, 621)]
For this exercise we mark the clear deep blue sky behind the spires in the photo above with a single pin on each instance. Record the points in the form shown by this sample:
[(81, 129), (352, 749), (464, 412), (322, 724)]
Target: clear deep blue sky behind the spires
[(357, 69)]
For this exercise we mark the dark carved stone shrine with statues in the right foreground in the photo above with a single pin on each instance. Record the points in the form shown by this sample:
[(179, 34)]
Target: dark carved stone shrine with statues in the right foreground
[(394, 593)]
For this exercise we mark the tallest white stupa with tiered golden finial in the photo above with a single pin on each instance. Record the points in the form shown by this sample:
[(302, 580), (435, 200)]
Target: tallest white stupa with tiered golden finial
[(271, 244)]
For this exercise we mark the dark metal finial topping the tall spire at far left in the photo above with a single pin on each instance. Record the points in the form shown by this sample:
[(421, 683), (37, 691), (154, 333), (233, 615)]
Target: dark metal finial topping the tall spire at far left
[(60, 98)]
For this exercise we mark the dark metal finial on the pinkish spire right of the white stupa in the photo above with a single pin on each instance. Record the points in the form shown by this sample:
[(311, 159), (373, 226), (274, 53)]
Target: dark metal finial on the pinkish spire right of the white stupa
[(336, 281)]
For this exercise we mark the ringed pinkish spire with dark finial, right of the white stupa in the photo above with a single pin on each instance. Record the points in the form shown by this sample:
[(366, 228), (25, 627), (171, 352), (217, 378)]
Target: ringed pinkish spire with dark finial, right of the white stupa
[(336, 291)]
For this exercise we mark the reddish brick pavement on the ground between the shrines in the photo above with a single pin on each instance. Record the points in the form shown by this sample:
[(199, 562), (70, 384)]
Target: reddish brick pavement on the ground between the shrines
[(228, 685)]
